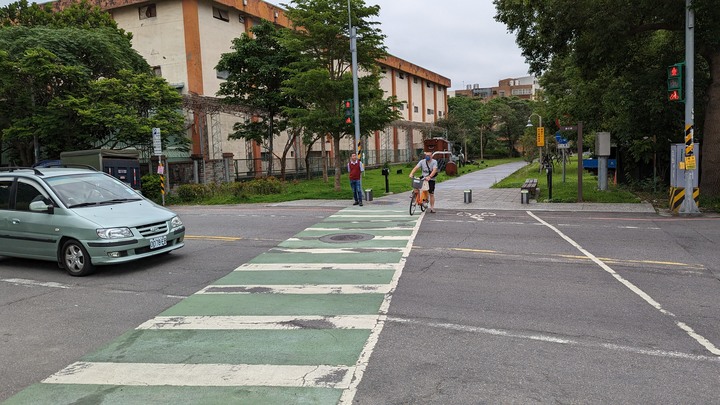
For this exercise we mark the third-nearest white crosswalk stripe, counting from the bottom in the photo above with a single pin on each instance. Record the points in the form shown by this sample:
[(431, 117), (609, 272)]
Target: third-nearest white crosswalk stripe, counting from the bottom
[(297, 289)]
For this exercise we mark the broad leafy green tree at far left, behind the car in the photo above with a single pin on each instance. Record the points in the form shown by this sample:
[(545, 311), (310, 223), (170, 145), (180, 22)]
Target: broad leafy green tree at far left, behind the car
[(59, 84)]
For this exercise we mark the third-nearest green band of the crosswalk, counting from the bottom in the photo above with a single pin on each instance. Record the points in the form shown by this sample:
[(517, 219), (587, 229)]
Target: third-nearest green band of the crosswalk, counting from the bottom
[(278, 304)]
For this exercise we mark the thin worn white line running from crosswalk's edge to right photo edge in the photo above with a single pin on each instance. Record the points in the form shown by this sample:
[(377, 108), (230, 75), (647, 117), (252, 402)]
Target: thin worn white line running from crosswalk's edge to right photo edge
[(556, 340)]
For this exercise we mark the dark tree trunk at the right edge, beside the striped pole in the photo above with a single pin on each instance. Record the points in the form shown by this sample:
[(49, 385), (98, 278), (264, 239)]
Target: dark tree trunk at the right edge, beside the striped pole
[(710, 157)]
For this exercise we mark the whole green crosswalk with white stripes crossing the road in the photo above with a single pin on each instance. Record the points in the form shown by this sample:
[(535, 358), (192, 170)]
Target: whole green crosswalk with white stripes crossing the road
[(296, 324)]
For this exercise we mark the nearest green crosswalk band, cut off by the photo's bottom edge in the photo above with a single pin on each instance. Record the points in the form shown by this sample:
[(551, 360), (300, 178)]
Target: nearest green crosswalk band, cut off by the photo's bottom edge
[(53, 394)]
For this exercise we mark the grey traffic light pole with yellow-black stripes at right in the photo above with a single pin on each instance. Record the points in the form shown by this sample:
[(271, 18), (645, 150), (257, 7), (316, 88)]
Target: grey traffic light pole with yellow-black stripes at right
[(688, 206)]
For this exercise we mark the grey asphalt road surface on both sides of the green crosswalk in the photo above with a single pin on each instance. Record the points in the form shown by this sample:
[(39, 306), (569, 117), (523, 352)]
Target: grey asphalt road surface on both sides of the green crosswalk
[(492, 306)]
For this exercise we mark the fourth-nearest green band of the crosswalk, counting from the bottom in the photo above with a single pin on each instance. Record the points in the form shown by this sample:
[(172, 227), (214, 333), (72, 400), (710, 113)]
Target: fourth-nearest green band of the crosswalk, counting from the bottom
[(307, 277)]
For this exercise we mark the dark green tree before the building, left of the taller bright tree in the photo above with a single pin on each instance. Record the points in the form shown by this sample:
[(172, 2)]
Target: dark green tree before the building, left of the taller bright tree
[(256, 70)]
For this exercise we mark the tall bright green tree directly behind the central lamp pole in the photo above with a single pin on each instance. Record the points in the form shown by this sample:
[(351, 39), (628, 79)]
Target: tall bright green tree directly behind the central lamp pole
[(322, 78)]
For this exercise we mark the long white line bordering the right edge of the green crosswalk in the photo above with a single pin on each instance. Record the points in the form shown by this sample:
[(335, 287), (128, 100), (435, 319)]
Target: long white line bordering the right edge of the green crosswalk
[(348, 395)]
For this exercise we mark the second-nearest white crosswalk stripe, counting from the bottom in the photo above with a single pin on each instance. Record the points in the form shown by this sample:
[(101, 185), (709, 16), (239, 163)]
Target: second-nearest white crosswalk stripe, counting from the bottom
[(262, 322)]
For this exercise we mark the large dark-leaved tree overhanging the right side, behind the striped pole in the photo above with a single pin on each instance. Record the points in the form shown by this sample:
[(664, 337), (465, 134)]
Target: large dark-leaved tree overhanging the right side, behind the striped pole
[(605, 64)]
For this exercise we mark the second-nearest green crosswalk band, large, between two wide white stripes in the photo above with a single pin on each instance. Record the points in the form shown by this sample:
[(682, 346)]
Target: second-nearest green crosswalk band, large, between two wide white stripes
[(279, 347)]
